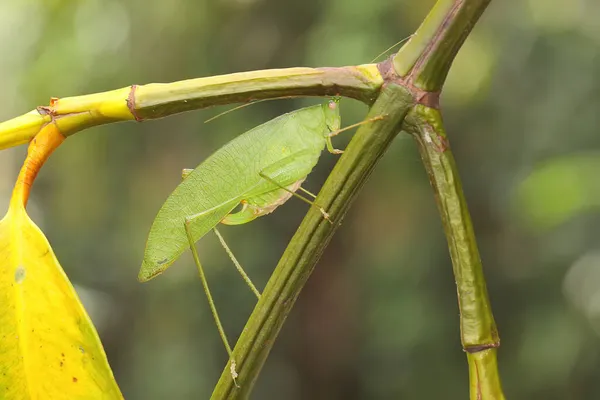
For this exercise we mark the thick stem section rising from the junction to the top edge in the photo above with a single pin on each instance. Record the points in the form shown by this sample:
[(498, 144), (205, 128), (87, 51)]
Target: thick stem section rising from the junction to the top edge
[(425, 59)]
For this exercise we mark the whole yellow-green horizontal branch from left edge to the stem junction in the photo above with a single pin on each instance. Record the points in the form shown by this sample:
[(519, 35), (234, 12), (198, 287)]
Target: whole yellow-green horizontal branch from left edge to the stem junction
[(157, 100)]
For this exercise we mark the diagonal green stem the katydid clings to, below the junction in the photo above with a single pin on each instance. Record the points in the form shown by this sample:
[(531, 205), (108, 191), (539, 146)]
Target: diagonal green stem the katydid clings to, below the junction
[(350, 173)]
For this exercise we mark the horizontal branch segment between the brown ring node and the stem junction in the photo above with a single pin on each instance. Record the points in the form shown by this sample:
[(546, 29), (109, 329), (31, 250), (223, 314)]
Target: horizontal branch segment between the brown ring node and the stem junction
[(155, 101)]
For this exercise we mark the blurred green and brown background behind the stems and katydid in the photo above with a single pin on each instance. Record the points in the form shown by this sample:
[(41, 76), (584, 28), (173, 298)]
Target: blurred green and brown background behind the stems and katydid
[(378, 318)]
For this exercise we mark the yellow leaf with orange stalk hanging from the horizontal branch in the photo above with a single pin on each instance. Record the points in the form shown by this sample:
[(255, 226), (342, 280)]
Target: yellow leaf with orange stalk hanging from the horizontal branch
[(49, 348)]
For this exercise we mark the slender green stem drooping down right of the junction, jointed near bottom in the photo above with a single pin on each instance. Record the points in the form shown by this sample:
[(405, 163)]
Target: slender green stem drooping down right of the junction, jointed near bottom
[(479, 335)]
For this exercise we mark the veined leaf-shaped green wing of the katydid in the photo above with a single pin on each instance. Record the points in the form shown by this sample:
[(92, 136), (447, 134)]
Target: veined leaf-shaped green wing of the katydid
[(218, 184)]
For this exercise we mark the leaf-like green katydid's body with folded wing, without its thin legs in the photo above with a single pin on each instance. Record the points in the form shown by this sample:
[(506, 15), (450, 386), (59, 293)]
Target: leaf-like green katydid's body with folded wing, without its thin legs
[(251, 169)]
